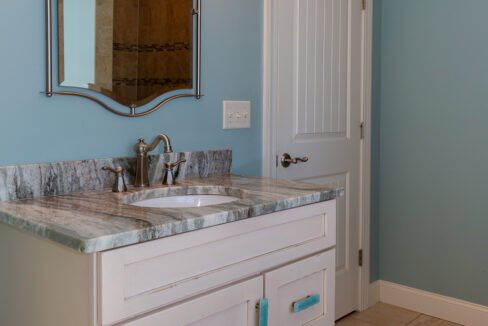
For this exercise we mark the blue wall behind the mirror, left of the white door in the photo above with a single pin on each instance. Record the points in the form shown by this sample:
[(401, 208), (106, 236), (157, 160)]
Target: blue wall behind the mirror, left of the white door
[(34, 128)]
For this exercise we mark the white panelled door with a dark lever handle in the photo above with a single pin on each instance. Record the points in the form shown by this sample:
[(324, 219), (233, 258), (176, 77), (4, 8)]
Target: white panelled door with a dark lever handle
[(316, 97)]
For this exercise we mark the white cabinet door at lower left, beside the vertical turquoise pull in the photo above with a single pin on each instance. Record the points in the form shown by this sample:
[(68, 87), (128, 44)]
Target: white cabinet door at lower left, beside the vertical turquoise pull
[(234, 305)]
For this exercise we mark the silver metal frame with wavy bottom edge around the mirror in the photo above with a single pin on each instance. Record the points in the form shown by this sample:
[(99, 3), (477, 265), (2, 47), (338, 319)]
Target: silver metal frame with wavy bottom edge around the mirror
[(133, 110)]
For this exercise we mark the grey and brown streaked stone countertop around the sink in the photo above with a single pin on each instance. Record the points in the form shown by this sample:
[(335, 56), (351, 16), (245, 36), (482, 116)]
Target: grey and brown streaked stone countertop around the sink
[(96, 221)]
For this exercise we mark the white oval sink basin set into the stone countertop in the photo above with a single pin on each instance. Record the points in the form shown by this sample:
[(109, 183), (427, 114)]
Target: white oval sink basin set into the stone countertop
[(185, 201)]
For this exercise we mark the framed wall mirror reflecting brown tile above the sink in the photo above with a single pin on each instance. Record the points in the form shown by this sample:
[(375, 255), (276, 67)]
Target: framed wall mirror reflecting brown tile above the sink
[(132, 51)]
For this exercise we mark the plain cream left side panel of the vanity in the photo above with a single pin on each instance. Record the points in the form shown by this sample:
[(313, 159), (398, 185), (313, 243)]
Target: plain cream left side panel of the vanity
[(43, 283)]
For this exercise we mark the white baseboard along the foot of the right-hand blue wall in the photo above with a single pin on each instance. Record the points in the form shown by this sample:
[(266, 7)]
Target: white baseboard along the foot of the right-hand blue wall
[(450, 309)]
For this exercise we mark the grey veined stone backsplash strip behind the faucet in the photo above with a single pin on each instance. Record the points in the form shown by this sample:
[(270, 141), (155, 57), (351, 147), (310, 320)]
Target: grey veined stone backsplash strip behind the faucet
[(59, 178)]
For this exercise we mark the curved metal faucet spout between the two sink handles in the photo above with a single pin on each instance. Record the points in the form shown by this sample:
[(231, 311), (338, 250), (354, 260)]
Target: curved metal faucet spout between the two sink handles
[(142, 149)]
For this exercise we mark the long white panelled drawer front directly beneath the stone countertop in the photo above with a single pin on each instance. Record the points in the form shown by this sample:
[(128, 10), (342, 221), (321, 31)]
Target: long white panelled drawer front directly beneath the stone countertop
[(148, 276)]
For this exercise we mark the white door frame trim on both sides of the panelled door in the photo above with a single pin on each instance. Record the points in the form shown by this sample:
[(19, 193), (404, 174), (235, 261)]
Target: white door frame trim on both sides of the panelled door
[(269, 133)]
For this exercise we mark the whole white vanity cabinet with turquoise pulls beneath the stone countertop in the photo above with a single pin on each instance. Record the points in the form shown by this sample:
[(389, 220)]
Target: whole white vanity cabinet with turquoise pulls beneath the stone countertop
[(213, 276)]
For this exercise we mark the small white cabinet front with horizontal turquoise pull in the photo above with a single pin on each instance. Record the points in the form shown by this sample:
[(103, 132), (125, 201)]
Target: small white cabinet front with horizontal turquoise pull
[(302, 293)]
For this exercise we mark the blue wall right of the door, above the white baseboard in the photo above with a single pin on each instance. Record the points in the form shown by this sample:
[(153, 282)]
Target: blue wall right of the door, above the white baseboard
[(433, 227)]
